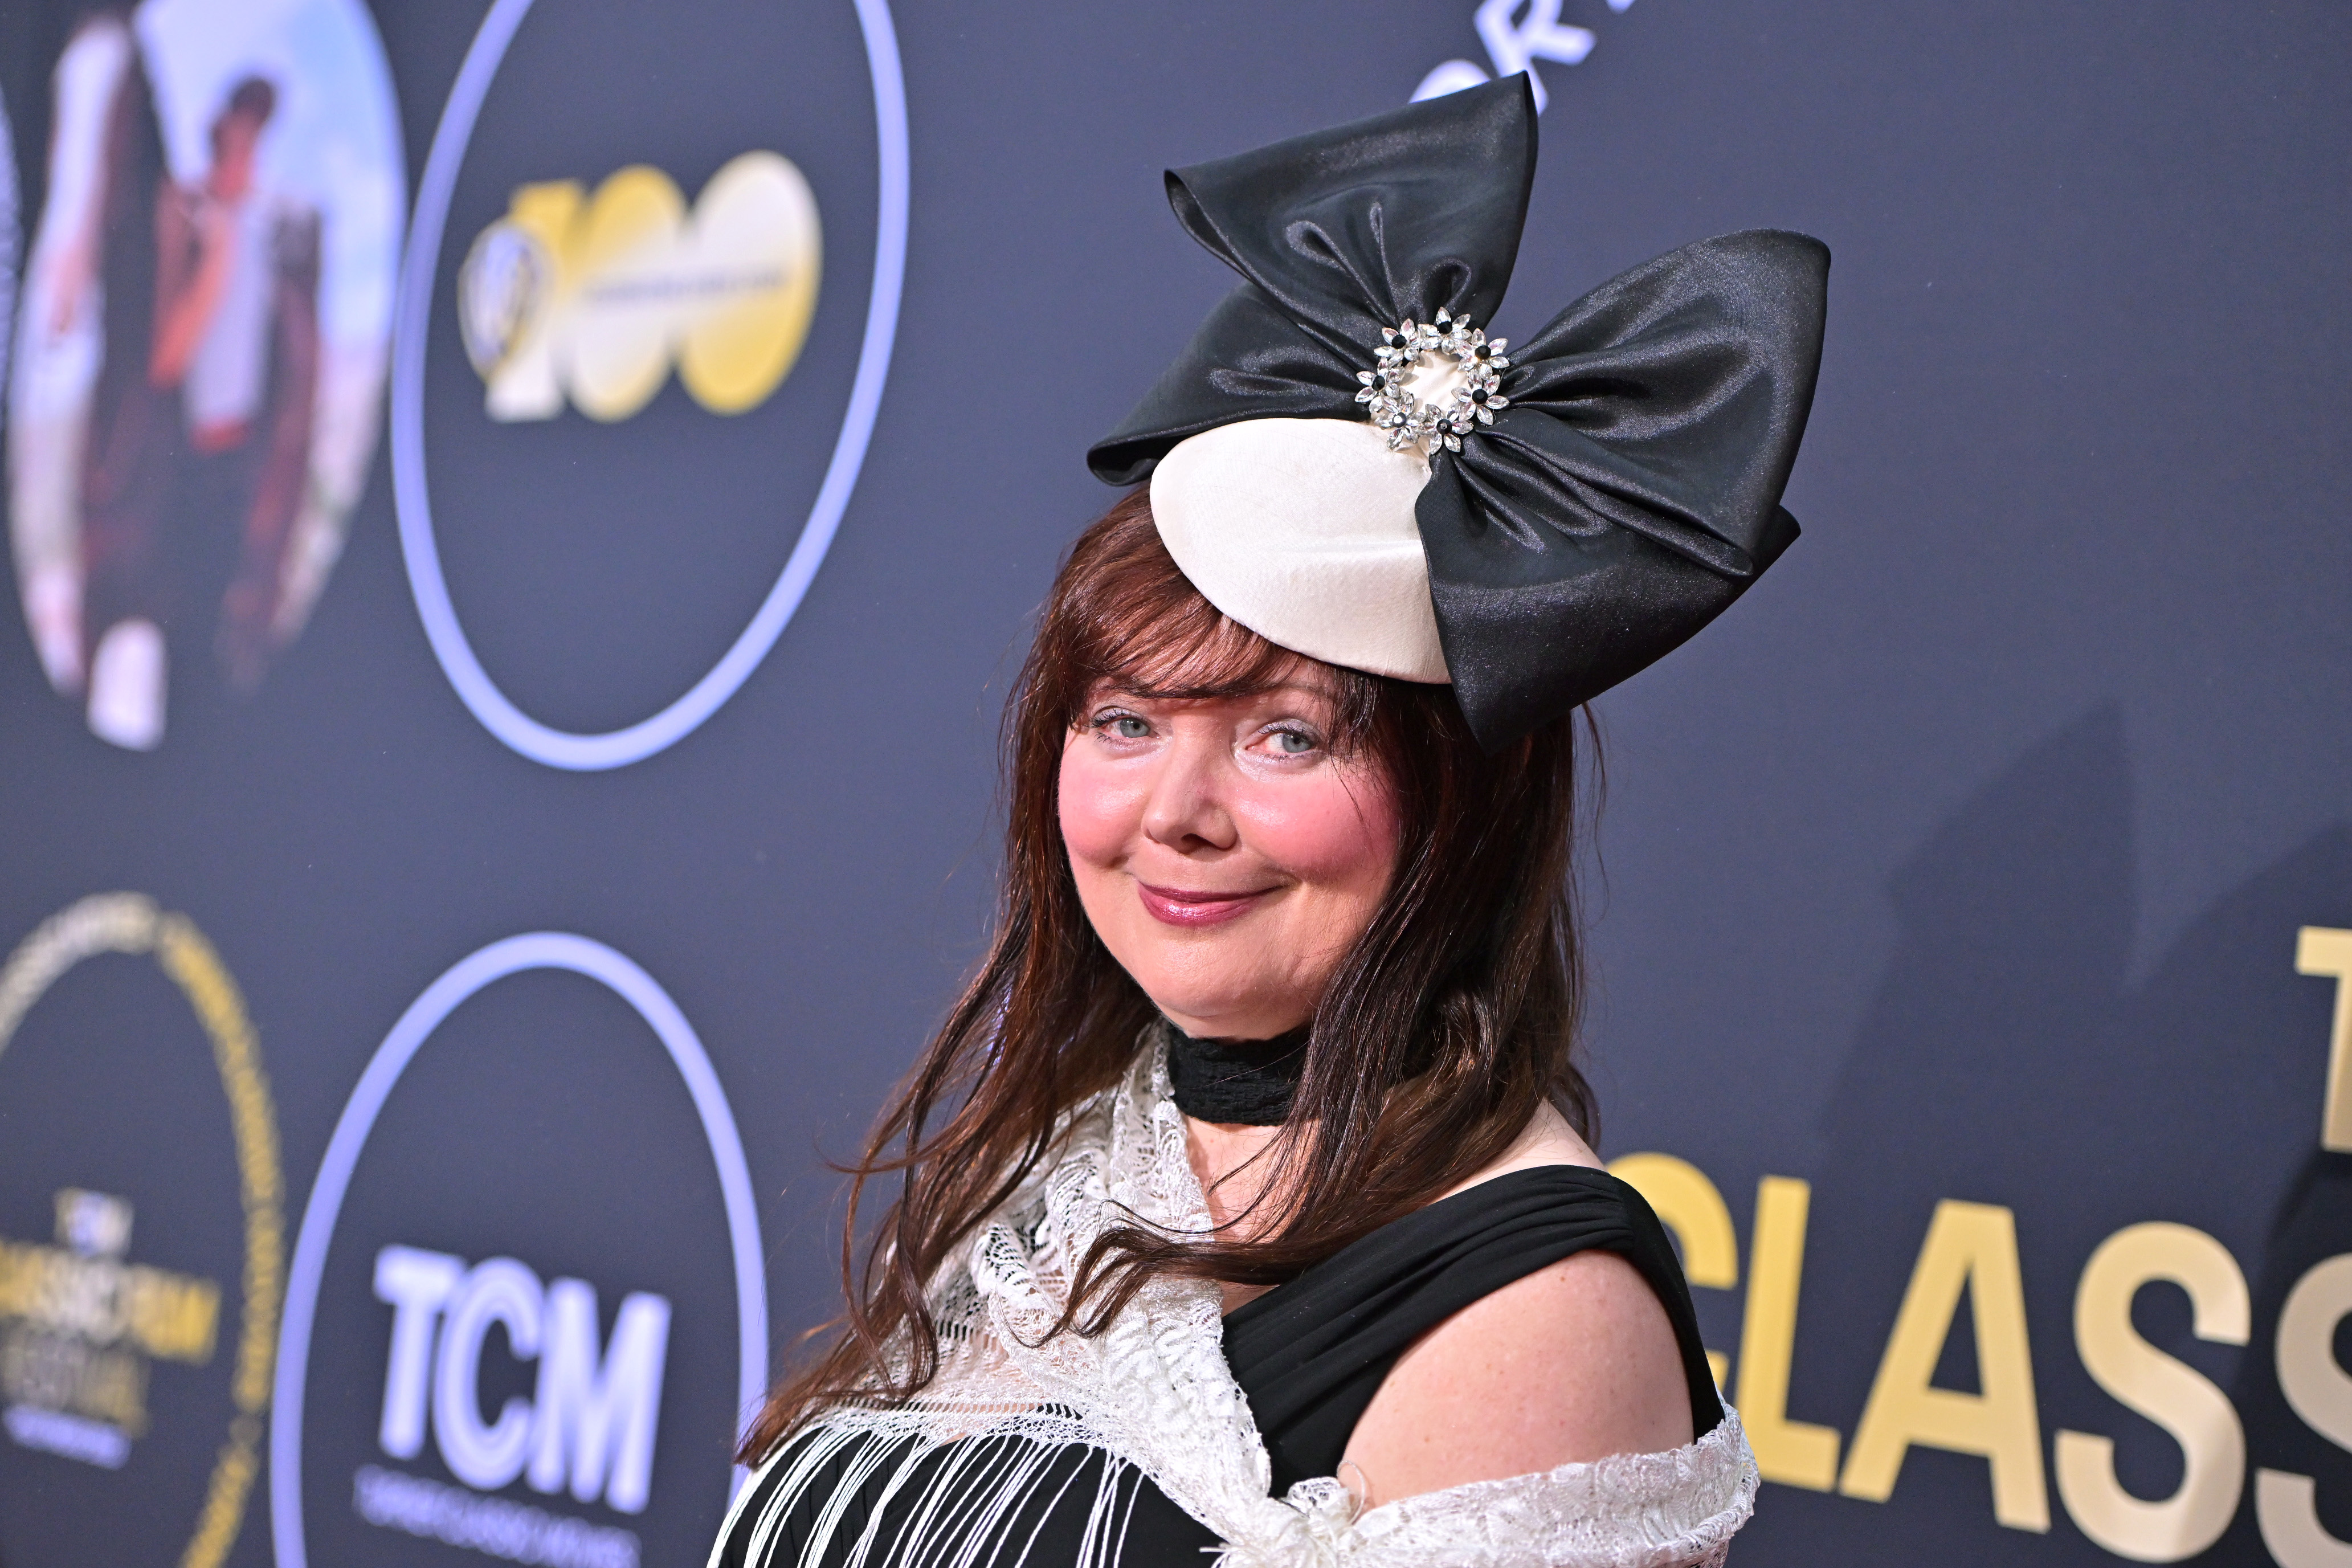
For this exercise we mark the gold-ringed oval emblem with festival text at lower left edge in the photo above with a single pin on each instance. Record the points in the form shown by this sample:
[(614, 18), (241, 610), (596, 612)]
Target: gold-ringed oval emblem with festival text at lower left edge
[(105, 1327)]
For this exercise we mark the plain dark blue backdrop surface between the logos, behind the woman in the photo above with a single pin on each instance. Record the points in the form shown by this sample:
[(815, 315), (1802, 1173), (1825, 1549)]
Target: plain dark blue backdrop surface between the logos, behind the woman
[(1965, 862)]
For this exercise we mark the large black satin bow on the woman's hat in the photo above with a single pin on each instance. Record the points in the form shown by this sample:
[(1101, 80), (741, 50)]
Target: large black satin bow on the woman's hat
[(1629, 490)]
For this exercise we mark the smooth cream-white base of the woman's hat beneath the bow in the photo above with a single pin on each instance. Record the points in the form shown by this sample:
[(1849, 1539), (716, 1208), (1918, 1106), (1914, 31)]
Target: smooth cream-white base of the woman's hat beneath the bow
[(1304, 532)]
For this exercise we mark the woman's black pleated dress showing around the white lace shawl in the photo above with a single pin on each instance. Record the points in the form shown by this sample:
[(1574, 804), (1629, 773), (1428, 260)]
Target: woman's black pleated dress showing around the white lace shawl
[(1309, 1355)]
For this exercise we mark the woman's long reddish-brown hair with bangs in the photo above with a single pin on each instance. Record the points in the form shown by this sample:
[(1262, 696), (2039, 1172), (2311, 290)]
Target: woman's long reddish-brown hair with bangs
[(1441, 1036)]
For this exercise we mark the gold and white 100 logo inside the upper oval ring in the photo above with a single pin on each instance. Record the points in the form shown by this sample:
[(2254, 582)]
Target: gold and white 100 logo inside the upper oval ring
[(596, 297)]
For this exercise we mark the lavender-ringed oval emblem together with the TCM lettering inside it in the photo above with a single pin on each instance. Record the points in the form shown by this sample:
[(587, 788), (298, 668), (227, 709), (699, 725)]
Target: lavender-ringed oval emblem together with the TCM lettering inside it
[(601, 1355)]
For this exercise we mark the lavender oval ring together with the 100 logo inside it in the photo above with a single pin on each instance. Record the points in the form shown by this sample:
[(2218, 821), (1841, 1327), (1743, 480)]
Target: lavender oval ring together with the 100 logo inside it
[(514, 279)]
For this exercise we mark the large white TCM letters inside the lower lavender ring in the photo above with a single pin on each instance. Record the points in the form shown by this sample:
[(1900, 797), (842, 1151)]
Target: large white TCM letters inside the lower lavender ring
[(599, 1402)]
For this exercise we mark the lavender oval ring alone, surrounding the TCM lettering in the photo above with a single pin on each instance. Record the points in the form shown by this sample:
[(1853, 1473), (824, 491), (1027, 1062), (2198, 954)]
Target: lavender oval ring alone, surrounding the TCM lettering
[(359, 1120)]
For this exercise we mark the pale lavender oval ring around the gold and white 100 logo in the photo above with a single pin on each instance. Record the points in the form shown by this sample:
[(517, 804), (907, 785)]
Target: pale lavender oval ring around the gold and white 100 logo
[(615, 749)]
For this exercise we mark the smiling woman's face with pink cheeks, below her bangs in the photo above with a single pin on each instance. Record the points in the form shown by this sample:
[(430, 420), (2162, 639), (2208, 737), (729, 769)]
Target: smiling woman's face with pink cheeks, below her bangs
[(1224, 852)]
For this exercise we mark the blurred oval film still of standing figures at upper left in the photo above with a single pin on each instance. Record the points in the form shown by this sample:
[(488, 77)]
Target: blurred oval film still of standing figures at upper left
[(201, 342)]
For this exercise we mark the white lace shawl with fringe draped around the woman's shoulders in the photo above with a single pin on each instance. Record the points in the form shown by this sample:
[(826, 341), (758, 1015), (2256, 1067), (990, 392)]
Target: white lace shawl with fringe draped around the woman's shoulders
[(1156, 1393)]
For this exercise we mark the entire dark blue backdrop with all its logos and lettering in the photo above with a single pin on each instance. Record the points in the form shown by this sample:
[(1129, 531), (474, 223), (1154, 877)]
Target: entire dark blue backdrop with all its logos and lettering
[(519, 525)]
